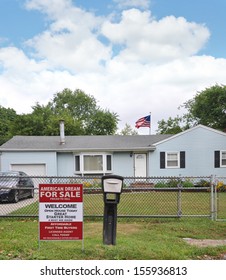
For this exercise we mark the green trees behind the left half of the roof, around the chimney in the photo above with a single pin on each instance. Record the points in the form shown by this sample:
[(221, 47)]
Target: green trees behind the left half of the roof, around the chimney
[(79, 111)]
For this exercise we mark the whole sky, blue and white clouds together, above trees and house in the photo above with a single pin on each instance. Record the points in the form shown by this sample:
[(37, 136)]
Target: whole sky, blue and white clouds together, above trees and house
[(133, 56)]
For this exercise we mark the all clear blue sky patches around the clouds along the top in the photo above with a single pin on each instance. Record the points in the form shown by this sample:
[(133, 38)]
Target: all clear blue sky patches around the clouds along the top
[(23, 24)]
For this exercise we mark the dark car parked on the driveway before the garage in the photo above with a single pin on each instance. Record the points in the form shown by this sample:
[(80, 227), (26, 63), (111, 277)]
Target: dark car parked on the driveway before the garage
[(15, 185)]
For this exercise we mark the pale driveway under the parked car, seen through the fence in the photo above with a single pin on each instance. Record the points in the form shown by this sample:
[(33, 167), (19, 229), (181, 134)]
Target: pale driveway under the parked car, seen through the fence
[(7, 208)]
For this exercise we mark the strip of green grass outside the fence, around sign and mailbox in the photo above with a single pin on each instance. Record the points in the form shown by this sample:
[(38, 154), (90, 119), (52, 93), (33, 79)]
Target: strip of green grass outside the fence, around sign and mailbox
[(136, 239)]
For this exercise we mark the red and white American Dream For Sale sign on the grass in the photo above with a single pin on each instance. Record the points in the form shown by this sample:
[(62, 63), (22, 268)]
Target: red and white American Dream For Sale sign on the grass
[(60, 212)]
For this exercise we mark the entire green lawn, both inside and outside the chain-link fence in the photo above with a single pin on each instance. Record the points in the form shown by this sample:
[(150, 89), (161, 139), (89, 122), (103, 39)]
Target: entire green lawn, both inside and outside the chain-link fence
[(140, 238)]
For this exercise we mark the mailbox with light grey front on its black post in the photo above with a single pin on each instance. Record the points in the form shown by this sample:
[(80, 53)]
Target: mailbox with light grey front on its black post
[(112, 188)]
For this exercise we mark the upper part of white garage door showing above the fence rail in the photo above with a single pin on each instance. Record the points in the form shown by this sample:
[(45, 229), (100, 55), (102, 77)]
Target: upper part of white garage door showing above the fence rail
[(30, 169)]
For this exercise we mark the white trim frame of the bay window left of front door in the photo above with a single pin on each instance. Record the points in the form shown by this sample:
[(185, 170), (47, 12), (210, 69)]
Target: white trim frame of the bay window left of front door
[(104, 157)]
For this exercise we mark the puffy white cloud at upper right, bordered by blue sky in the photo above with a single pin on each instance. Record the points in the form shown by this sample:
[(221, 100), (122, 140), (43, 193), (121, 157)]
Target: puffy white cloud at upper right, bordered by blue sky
[(146, 40)]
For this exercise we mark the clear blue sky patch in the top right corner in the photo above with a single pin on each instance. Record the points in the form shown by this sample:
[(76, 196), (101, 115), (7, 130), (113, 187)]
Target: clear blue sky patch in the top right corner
[(208, 12)]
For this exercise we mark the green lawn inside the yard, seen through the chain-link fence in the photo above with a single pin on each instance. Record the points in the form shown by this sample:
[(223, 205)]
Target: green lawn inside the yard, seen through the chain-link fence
[(147, 203)]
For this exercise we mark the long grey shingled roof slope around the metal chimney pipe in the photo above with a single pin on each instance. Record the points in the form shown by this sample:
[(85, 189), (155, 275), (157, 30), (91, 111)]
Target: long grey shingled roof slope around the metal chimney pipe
[(84, 143)]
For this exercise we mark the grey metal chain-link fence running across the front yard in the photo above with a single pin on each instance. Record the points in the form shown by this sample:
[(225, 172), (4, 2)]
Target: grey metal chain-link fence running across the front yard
[(140, 198)]
